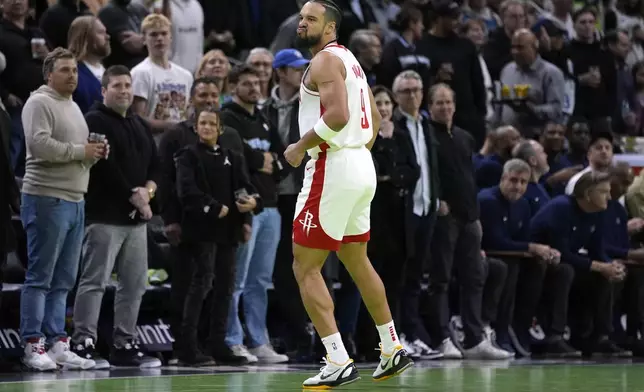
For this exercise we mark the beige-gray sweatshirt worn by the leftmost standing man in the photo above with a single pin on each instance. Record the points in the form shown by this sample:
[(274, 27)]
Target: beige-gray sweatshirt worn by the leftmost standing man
[(55, 135)]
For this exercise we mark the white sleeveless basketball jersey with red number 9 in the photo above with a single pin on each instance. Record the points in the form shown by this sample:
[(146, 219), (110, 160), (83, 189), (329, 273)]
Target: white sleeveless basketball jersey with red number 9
[(359, 130)]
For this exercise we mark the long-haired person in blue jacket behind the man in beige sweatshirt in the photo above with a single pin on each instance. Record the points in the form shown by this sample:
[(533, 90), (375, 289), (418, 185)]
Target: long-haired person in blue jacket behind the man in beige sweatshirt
[(90, 44)]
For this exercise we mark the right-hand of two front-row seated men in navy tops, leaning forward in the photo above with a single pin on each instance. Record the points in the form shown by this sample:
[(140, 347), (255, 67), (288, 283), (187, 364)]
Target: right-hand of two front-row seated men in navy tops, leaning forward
[(574, 226)]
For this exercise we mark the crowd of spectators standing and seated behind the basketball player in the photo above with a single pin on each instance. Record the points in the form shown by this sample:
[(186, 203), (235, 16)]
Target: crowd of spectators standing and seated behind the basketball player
[(138, 125)]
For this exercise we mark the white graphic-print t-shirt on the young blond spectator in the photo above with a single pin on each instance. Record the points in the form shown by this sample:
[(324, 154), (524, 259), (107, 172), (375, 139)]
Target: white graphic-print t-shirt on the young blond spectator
[(166, 90)]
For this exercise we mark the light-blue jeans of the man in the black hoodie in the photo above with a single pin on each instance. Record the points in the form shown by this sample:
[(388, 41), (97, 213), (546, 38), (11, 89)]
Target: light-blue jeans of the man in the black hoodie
[(255, 262)]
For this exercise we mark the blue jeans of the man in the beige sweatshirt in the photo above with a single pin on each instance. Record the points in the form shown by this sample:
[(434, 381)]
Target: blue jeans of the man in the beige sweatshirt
[(54, 229)]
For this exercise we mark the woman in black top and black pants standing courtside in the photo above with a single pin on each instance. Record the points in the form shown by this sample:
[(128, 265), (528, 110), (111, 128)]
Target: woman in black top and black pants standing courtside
[(216, 198)]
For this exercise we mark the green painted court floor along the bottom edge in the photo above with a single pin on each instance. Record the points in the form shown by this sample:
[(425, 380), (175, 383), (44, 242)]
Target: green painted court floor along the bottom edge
[(433, 376)]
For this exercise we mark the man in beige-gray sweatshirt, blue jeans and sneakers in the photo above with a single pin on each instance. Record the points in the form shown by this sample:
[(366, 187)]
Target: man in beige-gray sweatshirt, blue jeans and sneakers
[(53, 211)]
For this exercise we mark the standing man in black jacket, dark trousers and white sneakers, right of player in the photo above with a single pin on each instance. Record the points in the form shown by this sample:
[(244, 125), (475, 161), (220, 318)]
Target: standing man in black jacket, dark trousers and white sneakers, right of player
[(457, 236)]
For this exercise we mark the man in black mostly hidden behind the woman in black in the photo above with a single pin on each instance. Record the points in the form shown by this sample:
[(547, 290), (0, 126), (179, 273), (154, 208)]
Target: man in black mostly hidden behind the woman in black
[(203, 93)]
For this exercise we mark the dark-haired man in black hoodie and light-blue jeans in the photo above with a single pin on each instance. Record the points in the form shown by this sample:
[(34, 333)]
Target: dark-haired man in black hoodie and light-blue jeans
[(256, 258)]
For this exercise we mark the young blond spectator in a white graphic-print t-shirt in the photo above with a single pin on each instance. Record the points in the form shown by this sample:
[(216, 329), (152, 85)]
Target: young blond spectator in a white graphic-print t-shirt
[(161, 87)]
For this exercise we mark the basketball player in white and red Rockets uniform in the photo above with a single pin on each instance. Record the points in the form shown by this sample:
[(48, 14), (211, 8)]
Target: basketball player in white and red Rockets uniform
[(338, 125)]
